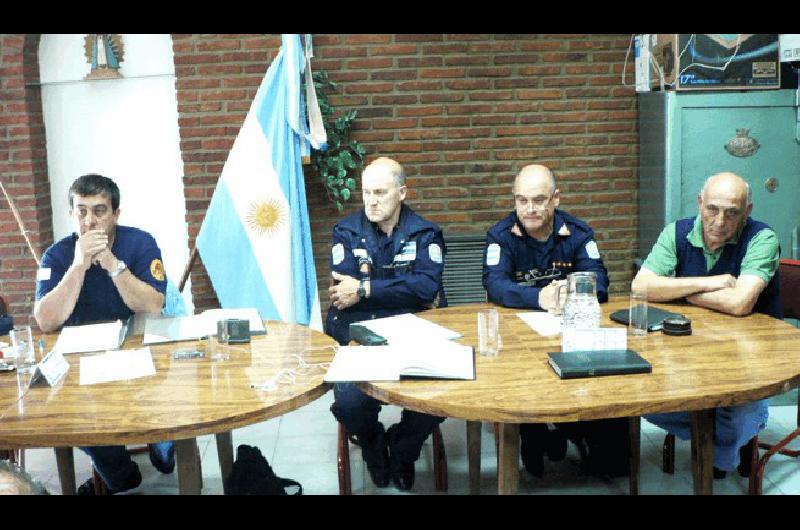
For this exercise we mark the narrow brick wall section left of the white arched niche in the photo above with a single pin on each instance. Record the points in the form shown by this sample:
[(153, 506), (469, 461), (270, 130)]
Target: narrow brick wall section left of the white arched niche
[(23, 169)]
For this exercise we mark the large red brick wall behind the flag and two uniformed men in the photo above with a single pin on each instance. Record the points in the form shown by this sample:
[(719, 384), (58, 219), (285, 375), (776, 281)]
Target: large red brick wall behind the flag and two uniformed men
[(462, 113)]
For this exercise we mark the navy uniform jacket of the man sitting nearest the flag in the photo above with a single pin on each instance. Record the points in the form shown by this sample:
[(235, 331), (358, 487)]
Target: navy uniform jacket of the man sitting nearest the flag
[(405, 273)]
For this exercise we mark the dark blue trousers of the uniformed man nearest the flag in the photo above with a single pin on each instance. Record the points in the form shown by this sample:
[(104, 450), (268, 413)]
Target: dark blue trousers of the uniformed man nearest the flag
[(358, 413)]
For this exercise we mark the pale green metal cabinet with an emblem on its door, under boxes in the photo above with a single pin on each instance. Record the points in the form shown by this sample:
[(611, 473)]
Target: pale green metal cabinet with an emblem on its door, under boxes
[(683, 139)]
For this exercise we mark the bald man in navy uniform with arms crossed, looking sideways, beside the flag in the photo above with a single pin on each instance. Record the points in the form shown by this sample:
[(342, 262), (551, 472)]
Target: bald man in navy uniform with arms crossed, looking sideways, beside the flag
[(385, 260)]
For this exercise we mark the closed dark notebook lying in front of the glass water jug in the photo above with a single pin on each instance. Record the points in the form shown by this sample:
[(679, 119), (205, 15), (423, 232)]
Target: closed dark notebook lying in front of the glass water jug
[(574, 364)]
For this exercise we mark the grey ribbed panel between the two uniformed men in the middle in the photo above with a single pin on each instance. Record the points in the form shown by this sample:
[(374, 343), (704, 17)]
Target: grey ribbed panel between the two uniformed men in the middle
[(463, 269)]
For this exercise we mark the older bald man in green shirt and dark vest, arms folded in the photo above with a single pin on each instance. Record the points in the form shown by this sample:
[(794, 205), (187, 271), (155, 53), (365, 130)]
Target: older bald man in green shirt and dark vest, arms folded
[(726, 261)]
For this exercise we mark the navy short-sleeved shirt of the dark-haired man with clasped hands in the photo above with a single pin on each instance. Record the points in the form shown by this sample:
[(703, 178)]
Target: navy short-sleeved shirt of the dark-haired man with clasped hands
[(99, 299)]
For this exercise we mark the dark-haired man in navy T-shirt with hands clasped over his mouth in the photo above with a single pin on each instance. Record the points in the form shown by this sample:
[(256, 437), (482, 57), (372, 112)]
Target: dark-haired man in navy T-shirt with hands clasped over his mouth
[(103, 271)]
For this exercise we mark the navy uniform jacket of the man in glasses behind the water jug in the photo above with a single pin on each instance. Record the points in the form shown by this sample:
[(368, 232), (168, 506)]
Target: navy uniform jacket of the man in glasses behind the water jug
[(508, 260)]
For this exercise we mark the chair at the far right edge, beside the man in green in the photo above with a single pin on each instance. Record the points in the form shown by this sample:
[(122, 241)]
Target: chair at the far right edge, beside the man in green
[(789, 271)]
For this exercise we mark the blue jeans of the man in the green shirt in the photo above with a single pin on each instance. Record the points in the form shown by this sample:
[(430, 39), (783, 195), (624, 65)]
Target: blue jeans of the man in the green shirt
[(733, 428)]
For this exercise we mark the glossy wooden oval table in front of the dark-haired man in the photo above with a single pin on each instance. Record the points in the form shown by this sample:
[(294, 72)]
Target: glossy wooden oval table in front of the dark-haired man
[(184, 399)]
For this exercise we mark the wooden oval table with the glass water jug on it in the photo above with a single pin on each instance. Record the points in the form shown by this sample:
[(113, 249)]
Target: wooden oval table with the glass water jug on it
[(726, 361)]
